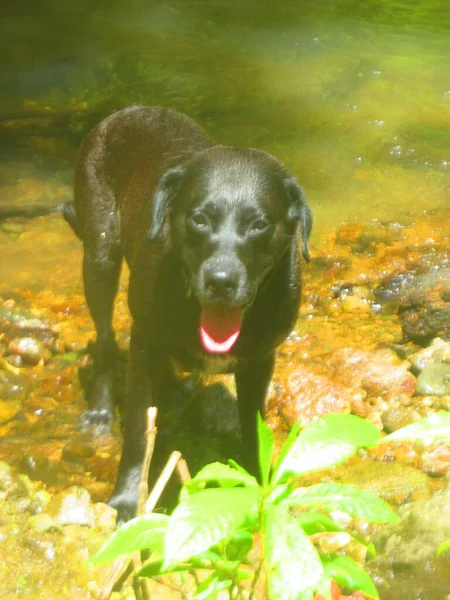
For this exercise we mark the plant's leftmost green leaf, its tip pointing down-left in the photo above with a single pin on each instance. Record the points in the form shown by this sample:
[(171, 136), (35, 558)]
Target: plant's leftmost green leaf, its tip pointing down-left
[(142, 532)]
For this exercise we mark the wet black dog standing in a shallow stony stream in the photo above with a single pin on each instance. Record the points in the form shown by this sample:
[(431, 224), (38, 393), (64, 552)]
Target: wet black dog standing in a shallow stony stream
[(211, 237)]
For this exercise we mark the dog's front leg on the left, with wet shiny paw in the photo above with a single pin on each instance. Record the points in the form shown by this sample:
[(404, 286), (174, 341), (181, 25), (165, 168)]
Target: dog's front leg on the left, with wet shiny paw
[(147, 372)]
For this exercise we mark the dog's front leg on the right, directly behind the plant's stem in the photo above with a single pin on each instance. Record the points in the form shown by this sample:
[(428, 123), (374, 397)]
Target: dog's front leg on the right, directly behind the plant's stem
[(252, 383)]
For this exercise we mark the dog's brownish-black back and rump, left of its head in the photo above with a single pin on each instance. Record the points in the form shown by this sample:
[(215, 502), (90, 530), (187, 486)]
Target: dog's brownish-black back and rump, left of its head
[(119, 165)]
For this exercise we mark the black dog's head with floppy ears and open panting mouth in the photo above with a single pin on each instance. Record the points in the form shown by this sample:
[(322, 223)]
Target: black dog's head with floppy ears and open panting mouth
[(231, 215)]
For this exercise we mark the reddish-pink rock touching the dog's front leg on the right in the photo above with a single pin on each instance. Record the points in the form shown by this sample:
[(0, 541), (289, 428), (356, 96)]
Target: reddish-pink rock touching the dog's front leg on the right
[(309, 396)]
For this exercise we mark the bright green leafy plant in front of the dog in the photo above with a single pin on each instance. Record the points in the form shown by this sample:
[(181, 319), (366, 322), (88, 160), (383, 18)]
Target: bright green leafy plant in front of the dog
[(223, 510)]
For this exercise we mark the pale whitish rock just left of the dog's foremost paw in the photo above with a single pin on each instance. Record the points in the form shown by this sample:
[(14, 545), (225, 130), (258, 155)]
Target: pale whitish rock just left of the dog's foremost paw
[(72, 507)]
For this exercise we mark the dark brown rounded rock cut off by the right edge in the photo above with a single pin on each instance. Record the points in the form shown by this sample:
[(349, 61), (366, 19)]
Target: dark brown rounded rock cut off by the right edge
[(425, 307)]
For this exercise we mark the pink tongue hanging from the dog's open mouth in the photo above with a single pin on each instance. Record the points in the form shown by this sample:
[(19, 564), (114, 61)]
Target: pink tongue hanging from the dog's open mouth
[(219, 328)]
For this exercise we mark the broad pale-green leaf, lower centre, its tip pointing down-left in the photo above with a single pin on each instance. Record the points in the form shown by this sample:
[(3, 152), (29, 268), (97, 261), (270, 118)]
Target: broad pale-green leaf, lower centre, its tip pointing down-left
[(206, 518)]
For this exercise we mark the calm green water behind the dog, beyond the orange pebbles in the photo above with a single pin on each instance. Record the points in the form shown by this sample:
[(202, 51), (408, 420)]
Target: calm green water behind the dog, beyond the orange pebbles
[(353, 97)]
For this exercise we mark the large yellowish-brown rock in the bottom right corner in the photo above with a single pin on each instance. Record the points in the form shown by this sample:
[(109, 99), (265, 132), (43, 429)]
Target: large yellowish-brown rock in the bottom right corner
[(407, 551)]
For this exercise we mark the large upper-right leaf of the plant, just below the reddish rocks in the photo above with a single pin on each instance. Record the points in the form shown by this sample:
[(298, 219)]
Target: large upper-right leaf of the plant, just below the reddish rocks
[(326, 443)]
